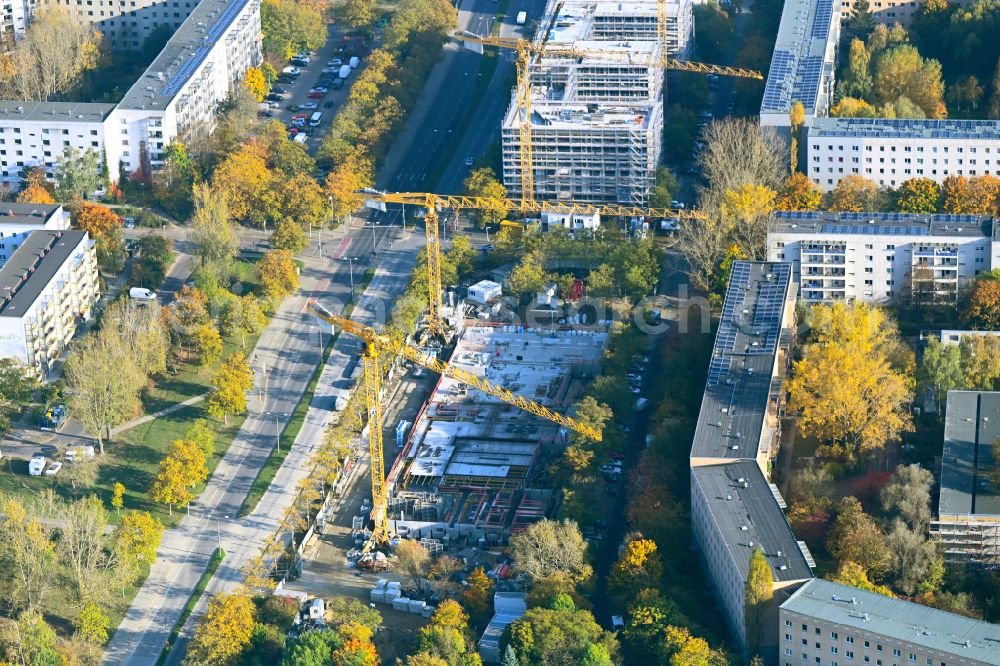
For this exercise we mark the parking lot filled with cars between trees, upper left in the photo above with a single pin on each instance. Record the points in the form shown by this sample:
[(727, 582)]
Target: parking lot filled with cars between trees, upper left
[(296, 90)]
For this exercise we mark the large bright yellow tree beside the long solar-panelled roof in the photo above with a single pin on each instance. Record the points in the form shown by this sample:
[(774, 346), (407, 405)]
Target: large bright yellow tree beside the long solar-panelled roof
[(865, 407)]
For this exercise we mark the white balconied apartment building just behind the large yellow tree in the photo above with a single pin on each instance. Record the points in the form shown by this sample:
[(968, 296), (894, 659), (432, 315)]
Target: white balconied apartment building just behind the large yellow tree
[(883, 257)]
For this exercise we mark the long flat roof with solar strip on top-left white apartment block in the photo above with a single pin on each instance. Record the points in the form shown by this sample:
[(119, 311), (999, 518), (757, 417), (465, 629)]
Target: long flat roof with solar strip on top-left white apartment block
[(183, 54)]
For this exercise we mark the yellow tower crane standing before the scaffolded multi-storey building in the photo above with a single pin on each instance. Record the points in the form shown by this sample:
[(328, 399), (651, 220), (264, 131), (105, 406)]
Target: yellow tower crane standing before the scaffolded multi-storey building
[(527, 49)]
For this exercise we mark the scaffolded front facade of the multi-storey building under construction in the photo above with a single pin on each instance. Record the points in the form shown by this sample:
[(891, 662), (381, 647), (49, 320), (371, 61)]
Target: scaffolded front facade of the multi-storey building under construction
[(591, 153)]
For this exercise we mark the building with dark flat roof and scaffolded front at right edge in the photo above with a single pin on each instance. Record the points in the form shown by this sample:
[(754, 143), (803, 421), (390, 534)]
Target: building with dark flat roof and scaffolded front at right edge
[(968, 520)]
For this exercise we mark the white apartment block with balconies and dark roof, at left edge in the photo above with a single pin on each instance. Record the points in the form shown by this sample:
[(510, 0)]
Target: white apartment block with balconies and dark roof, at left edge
[(47, 288)]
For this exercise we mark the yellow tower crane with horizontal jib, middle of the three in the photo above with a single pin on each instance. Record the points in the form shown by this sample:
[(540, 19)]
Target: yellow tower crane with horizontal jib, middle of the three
[(433, 203)]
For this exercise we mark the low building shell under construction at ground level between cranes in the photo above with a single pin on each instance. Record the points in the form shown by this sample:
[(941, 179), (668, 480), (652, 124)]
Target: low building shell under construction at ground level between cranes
[(470, 461)]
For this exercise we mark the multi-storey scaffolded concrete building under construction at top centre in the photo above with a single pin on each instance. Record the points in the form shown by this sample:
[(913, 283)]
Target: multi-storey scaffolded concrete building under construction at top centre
[(596, 122)]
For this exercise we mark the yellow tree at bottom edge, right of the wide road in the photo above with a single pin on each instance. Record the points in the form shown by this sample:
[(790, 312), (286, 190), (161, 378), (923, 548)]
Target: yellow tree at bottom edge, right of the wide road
[(224, 632)]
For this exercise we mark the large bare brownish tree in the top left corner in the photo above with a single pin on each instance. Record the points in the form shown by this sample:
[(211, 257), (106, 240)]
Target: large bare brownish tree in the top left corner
[(55, 51)]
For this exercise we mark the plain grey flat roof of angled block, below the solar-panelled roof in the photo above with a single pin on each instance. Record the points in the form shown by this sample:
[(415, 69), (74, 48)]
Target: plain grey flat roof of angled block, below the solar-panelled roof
[(747, 516)]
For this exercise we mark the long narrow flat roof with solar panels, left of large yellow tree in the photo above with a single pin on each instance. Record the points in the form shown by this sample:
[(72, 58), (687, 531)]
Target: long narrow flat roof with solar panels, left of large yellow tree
[(736, 396)]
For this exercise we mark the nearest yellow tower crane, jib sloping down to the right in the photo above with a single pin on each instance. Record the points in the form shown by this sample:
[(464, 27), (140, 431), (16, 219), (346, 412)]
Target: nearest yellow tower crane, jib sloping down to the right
[(377, 345)]
